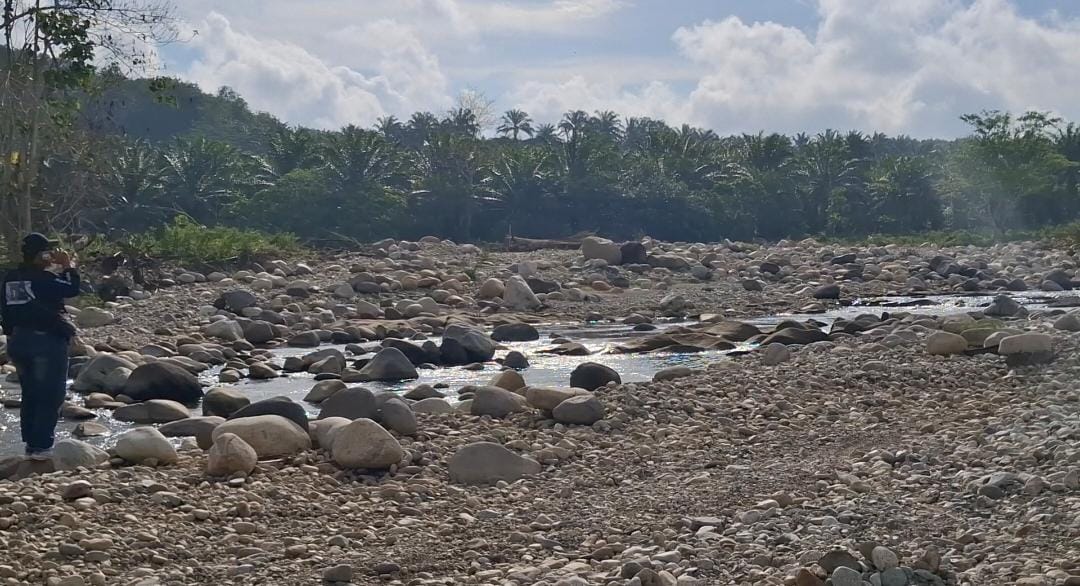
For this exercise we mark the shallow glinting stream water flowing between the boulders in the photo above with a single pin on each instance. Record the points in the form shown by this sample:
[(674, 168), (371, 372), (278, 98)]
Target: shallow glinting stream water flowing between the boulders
[(545, 370)]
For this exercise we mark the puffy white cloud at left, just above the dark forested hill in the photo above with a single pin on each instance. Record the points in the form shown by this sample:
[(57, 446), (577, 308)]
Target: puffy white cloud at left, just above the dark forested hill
[(287, 80)]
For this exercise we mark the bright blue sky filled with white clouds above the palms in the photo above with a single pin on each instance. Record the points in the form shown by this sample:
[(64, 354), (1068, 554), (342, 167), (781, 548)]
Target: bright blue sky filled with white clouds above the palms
[(895, 66)]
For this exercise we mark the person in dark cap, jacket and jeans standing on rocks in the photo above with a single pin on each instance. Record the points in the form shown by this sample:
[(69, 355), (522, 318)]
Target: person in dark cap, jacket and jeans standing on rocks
[(32, 310)]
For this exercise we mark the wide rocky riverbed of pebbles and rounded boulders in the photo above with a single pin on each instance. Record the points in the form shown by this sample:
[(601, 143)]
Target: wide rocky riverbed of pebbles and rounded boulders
[(834, 446)]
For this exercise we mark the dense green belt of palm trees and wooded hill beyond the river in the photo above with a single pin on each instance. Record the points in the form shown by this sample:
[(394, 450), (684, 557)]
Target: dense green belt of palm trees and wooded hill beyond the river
[(153, 149)]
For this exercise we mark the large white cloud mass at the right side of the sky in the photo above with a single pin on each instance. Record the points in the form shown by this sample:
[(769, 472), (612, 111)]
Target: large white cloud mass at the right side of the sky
[(896, 66)]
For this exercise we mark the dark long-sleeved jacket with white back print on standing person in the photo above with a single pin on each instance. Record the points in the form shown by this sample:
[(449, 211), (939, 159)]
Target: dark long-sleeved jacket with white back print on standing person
[(34, 298)]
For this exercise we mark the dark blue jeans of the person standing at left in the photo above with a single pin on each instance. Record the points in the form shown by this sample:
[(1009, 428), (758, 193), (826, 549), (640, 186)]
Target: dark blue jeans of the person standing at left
[(42, 361)]
